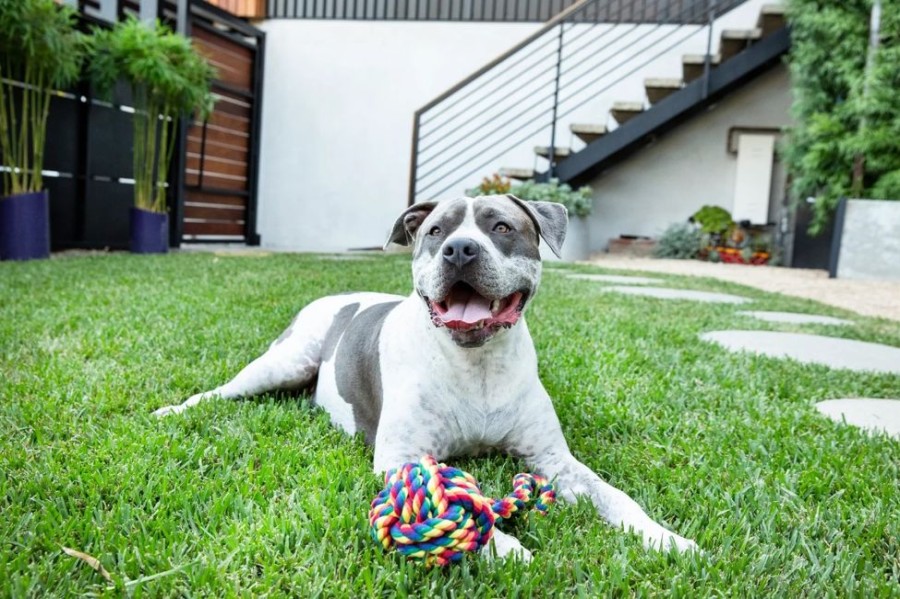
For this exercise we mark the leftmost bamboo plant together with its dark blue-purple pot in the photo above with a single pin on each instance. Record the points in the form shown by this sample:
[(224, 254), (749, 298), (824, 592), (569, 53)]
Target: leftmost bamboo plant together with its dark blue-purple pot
[(40, 52)]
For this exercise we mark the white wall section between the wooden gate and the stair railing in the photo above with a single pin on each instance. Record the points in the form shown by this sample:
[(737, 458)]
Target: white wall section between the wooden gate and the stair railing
[(338, 105)]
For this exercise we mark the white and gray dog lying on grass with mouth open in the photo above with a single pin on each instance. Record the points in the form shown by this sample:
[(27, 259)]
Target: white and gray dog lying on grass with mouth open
[(450, 369)]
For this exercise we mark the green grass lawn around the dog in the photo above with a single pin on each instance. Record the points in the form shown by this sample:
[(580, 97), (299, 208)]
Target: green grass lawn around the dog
[(263, 497)]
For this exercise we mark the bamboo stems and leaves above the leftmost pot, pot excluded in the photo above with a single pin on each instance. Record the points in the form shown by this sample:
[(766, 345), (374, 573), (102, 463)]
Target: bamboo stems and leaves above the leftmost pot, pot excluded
[(40, 48)]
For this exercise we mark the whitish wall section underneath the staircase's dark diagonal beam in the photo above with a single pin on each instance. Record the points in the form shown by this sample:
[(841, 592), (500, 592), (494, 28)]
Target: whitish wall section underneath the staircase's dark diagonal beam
[(688, 167)]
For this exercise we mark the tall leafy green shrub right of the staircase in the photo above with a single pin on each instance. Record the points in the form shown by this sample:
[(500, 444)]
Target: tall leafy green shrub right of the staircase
[(845, 118)]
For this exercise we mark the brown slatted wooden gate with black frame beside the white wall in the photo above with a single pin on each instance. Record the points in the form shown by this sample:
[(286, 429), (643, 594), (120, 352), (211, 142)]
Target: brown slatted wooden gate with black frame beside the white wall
[(221, 157)]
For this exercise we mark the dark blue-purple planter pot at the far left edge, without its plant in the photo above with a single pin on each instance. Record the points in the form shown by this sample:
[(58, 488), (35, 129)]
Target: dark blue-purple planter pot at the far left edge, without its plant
[(25, 226)]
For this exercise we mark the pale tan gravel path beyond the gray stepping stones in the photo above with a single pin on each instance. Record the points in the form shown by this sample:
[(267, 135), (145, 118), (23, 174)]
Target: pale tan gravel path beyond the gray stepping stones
[(870, 298)]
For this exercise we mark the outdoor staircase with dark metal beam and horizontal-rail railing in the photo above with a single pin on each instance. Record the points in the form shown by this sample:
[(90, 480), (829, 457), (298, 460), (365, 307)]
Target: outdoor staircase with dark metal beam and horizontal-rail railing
[(553, 76)]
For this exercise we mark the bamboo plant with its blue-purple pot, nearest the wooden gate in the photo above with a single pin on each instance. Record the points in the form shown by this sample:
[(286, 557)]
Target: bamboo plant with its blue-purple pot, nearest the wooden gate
[(168, 80)]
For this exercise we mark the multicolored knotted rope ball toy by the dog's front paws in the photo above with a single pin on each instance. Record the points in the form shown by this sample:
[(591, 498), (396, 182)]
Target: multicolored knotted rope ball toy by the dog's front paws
[(437, 513)]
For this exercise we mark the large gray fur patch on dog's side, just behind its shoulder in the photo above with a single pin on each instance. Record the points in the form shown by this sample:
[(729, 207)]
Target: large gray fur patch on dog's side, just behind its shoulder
[(357, 367)]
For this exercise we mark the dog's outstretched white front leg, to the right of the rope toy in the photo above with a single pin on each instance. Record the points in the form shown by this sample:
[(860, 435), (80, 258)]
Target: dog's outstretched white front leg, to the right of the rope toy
[(551, 457)]
